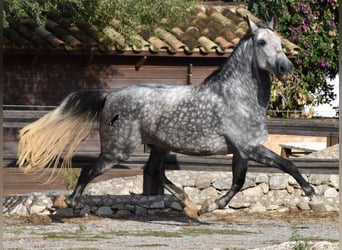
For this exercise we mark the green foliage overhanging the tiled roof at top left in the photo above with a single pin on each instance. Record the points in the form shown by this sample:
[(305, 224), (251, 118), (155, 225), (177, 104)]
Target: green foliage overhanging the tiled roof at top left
[(124, 15)]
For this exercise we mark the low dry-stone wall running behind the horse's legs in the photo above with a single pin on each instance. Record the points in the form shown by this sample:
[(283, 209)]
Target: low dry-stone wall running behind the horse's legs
[(121, 196)]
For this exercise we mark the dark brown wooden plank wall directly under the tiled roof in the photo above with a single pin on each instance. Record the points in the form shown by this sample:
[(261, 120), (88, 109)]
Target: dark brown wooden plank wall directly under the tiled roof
[(46, 79)]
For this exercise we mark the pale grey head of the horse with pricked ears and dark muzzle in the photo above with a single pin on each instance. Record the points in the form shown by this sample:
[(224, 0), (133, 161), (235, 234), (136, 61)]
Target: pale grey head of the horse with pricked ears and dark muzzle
[(268, 50)]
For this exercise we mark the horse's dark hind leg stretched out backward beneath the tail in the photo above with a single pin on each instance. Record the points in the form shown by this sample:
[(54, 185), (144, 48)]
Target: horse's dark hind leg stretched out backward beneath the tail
[(88, 174)]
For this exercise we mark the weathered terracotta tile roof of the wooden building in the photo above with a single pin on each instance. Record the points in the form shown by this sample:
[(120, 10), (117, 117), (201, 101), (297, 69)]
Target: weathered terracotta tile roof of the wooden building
[(211, 29)]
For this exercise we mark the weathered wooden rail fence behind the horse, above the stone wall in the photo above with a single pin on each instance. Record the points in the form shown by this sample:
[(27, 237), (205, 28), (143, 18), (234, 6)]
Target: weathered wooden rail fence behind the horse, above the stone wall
[(14, 119)]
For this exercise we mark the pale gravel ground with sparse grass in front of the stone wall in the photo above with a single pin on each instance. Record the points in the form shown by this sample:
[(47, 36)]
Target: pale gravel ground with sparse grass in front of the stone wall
[(212, 231)]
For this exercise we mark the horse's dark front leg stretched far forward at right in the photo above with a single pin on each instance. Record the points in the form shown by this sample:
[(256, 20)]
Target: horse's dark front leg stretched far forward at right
[(265, 156)]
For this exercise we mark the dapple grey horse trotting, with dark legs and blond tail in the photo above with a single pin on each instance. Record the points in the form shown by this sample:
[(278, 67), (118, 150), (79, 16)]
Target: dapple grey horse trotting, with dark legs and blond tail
[(225, 114)]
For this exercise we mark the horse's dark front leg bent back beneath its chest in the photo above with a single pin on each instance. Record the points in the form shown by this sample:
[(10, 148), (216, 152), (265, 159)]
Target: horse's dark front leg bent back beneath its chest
[(239, 169)]
